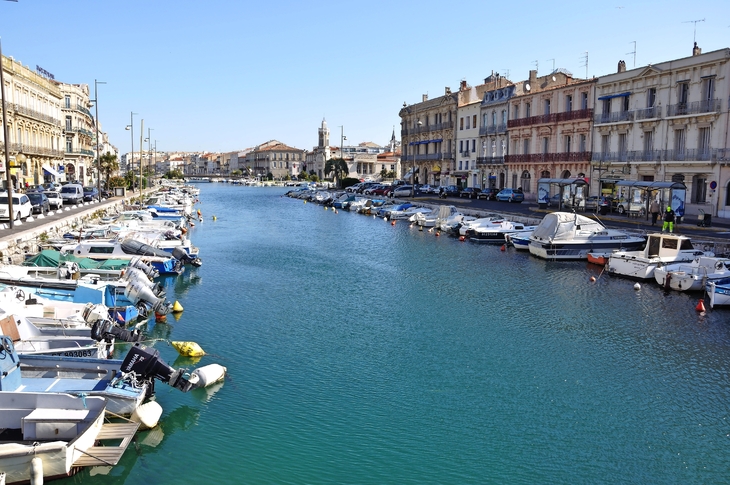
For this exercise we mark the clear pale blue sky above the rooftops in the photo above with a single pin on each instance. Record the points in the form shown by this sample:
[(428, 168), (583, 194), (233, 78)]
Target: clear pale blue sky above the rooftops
[(219, 75)]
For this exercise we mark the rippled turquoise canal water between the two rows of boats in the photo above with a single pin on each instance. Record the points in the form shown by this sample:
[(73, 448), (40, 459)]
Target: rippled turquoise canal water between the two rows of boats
[(364, 353)]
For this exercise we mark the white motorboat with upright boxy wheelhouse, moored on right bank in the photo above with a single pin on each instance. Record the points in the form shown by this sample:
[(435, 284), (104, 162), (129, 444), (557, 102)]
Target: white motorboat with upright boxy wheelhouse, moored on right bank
[(660, 249)]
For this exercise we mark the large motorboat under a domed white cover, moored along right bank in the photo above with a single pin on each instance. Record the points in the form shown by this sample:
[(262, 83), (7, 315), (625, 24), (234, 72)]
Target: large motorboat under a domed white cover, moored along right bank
[(566, 235)]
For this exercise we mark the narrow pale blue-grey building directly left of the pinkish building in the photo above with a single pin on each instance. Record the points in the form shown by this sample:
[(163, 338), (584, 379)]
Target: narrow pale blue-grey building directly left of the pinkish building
[(493, 140)]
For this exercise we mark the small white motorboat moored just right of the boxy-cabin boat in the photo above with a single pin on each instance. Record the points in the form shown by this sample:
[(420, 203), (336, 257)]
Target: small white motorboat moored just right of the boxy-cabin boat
[(694, 275)]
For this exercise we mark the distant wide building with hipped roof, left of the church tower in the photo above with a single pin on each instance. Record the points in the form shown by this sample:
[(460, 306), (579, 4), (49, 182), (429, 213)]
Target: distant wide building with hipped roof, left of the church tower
[(274, 158)]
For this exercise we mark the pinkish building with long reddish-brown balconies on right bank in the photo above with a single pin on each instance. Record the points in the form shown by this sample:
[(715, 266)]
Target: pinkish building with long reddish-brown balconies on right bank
[(549, 129)]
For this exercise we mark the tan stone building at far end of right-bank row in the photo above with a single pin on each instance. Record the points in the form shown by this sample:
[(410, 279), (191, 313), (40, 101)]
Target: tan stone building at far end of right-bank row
[(428, 139)]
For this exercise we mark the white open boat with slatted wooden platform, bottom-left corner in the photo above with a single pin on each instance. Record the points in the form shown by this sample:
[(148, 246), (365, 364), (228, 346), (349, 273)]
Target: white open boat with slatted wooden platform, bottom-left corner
[(52, 435)]
